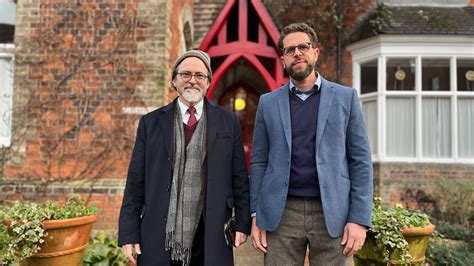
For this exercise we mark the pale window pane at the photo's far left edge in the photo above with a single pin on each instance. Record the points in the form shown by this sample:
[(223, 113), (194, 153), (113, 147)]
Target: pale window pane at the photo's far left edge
[(6, 103)]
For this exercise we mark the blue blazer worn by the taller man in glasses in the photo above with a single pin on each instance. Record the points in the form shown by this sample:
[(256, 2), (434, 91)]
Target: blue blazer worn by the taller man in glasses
[(343, 159)]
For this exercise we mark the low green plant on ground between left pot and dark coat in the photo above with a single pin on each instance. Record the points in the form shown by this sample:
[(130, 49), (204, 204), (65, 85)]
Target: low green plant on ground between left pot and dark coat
[(103, 250)]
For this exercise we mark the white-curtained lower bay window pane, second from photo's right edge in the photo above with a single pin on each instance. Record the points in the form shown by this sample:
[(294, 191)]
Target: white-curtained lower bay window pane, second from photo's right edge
[(436, 120)]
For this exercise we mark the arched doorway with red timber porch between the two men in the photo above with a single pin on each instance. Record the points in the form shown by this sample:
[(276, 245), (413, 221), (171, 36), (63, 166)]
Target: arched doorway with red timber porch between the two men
[(242, 44)]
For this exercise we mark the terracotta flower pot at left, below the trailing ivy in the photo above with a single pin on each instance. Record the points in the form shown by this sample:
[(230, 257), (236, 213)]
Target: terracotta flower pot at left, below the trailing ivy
[(65, 242)]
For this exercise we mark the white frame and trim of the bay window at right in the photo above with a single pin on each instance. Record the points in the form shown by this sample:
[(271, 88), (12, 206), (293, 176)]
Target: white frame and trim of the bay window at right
[(383, 47)]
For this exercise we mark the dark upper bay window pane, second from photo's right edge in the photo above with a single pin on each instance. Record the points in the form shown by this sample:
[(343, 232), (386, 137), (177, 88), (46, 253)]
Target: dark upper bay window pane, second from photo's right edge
[(435, 74)]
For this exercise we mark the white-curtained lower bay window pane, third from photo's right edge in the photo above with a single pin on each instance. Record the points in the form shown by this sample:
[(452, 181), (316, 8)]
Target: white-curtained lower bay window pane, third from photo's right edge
[(401, 127)]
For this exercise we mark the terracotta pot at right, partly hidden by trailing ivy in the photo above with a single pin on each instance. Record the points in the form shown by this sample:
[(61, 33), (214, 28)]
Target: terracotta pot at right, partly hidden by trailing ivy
[(417, 238)]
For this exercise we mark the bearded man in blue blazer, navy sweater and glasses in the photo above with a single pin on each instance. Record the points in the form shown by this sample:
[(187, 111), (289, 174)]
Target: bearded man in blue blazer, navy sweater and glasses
[(310, 170)]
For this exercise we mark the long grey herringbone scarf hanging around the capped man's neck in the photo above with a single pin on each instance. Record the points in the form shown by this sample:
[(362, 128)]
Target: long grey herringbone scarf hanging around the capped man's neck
[(185, 205)]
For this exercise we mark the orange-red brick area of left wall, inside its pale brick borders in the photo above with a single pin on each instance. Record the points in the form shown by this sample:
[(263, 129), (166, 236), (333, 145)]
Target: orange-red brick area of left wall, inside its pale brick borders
[(86, 71)]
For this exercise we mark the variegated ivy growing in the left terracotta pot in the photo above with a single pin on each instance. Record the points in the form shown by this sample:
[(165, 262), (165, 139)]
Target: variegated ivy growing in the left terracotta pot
[(25, 231)]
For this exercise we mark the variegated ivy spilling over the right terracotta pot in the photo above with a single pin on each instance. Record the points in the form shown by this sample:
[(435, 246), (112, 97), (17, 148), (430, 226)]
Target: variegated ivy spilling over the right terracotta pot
[(388, 223)]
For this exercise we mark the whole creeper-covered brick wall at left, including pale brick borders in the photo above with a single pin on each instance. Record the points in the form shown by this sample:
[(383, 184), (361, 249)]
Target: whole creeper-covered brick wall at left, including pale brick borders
[(84, 74)]
